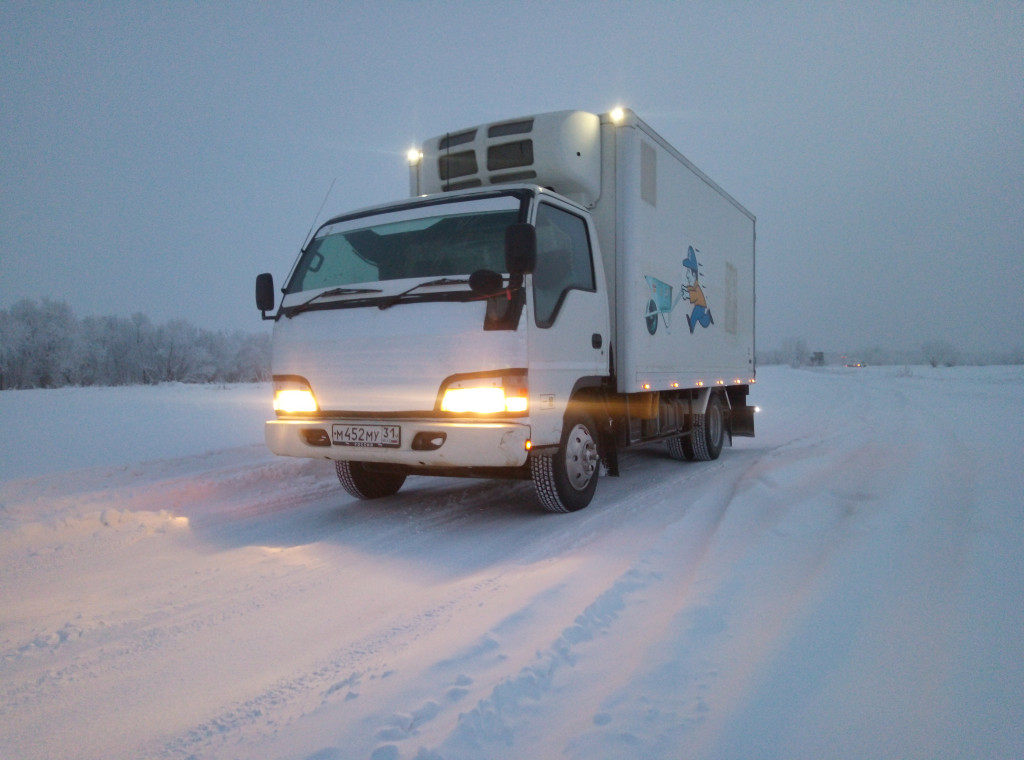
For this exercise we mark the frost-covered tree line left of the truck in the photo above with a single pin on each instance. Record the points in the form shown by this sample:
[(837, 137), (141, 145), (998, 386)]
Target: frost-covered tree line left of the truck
[(45, 346)]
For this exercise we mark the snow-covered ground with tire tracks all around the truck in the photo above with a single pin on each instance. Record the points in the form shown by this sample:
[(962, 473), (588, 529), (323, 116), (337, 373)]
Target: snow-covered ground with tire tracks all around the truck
[(849, 584)]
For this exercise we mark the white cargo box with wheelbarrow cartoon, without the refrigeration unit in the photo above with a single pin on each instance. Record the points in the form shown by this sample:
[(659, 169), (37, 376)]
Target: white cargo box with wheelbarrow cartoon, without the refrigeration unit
[(681, 251)]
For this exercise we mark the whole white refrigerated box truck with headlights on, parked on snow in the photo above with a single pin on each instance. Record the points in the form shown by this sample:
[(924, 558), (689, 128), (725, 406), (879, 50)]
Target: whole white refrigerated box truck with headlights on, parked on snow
[(558, 289)]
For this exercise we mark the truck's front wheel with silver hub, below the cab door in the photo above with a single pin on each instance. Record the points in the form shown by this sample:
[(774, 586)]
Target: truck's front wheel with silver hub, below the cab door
[(566, 482)]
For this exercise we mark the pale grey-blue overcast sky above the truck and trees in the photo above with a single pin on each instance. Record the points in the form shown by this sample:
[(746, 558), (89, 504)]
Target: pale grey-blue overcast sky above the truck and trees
[(156, 157)]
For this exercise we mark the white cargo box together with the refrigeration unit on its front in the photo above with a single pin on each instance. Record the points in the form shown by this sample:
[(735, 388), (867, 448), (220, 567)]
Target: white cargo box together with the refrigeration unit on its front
[(678, 250)]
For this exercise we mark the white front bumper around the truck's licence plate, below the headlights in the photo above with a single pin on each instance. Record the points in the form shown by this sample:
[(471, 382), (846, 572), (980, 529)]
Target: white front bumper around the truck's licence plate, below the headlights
[(464, 444)]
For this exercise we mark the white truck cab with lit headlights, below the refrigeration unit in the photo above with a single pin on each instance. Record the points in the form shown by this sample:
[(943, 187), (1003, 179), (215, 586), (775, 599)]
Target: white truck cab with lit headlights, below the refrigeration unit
[(440, 336)]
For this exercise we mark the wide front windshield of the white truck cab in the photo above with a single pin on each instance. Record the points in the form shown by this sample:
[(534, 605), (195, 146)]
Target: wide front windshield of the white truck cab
[(434, 241)]
